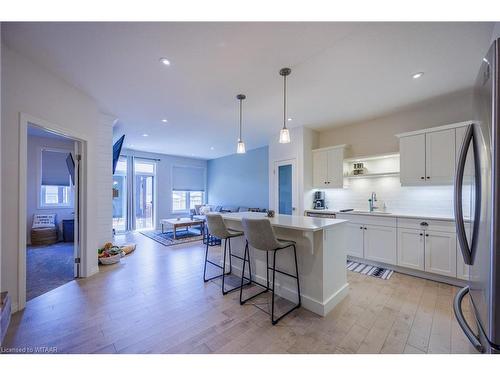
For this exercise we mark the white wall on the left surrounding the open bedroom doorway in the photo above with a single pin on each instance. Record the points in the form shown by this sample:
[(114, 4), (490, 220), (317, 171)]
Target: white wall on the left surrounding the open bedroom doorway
[(39, 93)]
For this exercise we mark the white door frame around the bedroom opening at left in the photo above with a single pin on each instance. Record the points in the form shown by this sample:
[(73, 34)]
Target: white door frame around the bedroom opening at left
[(24, 121)]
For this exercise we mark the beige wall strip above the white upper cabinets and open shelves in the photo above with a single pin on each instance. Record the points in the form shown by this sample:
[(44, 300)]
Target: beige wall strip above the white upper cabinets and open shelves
[(376, 136)]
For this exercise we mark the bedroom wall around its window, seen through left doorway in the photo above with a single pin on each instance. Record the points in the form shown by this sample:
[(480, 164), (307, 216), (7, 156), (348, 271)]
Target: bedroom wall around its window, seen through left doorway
[(35, 144)]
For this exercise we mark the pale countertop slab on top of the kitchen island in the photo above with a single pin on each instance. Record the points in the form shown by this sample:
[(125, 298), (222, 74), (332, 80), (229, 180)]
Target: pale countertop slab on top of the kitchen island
[(301, 223)]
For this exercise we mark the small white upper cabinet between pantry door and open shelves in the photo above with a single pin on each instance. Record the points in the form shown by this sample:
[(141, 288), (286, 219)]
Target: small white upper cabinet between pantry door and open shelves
[(328, 167)]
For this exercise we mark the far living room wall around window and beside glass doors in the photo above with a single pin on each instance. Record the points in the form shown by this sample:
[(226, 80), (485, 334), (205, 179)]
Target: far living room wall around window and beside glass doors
[(164, 179)]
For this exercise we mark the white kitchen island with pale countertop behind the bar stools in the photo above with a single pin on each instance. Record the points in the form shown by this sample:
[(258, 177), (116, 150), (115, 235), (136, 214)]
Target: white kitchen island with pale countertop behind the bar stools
[(321, 254)]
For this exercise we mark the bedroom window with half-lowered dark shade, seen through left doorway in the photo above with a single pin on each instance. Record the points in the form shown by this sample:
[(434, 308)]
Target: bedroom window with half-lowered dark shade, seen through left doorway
[(55, 183)]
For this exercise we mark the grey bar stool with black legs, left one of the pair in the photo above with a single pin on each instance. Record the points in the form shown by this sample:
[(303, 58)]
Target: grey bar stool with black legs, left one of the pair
[(217, 228)]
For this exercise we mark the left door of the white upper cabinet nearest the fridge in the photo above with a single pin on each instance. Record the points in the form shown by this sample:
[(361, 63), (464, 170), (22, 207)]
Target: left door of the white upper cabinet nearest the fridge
[(412, 159)]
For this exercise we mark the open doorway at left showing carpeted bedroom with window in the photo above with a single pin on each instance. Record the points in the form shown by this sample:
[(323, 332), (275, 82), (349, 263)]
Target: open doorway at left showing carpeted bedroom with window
[(52, 199)]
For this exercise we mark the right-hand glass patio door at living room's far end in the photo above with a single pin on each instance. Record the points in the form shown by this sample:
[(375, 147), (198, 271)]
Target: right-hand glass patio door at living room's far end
[(144, 193)]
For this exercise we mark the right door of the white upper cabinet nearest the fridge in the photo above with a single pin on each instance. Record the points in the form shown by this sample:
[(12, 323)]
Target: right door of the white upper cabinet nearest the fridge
[(440, 157)]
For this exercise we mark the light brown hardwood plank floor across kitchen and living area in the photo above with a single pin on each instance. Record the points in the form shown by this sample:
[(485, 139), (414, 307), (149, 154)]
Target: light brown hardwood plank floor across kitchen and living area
[(155, 301)]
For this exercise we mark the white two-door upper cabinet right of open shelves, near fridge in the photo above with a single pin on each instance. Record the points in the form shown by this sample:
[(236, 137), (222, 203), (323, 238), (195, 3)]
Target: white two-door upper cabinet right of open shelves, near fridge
[(428, 157)]
